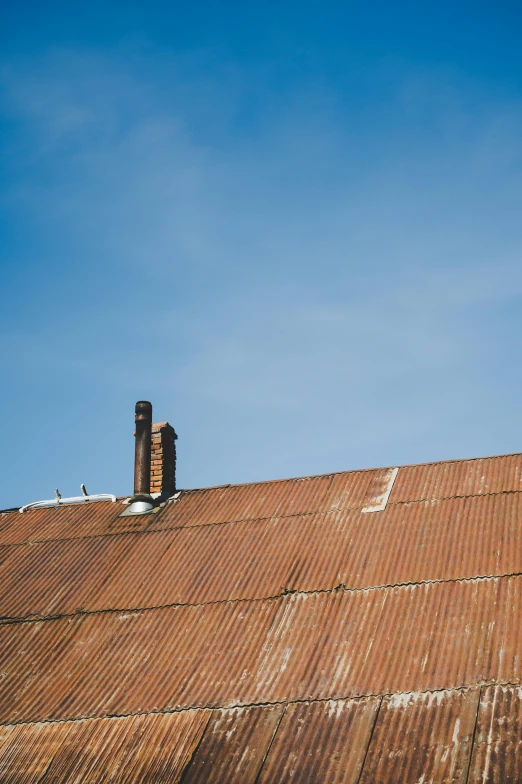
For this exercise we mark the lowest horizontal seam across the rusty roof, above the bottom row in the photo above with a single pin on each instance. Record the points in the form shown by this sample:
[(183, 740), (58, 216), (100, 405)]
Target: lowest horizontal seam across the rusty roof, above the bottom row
[(261, 703)]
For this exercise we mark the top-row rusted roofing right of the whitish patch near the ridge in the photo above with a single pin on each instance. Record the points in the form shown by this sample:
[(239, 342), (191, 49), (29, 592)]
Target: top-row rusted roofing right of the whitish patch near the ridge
[(458, 478)]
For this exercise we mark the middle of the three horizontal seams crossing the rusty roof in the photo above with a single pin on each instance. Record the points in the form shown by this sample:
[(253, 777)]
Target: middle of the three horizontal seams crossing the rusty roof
[(11, 621)]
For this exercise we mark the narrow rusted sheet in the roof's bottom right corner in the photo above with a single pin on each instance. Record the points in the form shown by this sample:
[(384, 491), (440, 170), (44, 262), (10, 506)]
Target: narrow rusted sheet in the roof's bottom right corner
[(497, 750)]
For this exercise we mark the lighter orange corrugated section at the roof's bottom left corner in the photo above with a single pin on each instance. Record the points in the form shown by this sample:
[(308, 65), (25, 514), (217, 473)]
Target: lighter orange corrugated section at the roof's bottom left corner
[(154, 748)]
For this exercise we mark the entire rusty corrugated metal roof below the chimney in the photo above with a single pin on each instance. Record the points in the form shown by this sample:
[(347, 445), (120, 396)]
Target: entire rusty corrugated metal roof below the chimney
[(355, 627)]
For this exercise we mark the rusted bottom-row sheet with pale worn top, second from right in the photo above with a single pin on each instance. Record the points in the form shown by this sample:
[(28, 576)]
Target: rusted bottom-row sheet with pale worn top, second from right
[(422, 738)]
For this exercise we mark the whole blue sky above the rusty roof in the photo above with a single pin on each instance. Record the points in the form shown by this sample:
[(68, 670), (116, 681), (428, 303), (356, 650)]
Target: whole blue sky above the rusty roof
[(294, 227)]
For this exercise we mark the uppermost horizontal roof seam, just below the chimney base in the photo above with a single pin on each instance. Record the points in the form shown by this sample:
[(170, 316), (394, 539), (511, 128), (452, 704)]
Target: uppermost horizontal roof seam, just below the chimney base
[(253, 519)]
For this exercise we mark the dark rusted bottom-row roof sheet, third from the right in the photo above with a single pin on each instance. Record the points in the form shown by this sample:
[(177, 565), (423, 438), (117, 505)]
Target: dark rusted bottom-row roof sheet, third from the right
[(323, 742)]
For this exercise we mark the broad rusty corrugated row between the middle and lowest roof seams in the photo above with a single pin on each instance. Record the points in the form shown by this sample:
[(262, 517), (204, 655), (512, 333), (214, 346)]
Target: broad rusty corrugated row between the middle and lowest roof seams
[(299, 647)]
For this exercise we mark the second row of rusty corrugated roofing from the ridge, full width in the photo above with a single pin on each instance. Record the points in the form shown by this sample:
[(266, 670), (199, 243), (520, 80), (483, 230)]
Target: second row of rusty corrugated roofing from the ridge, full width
[(433, 540)]
